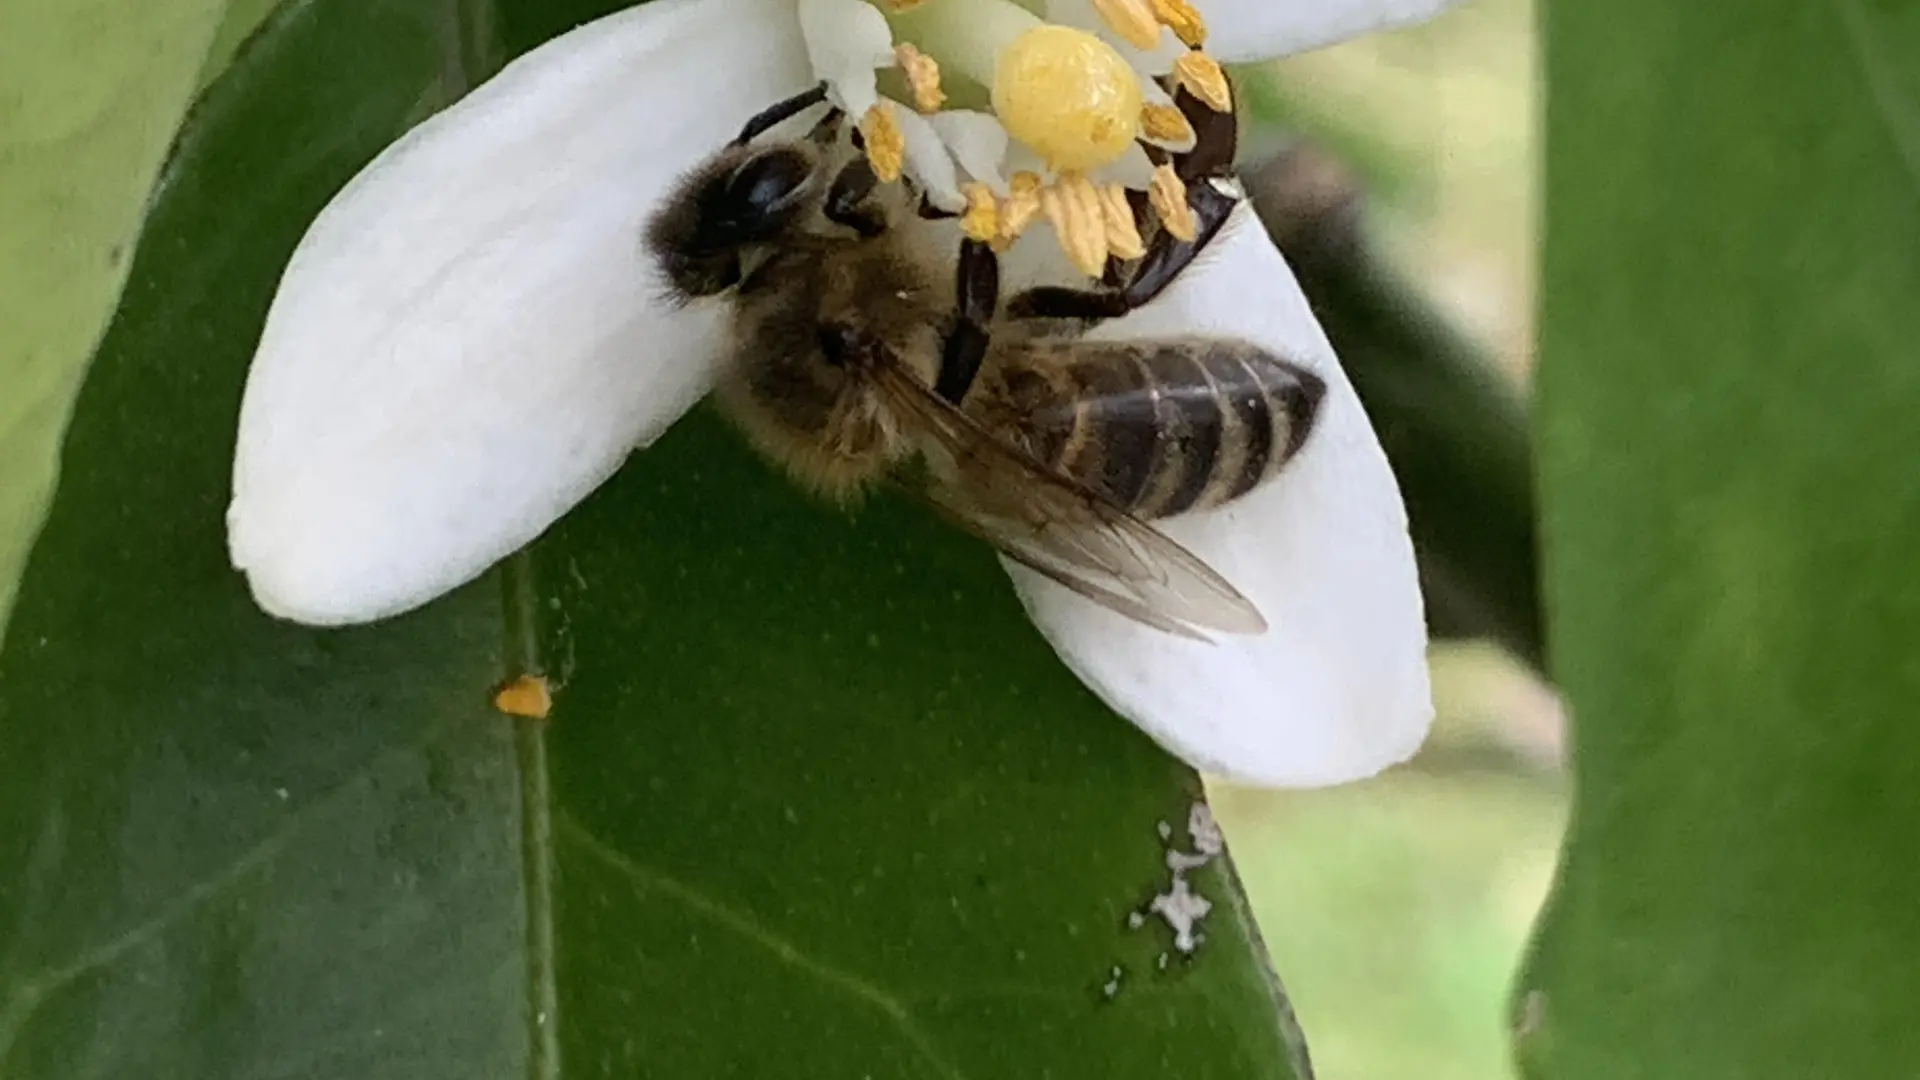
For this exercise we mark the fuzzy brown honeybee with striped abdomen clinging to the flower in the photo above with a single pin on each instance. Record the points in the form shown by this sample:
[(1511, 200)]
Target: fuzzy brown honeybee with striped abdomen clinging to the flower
[(859, 355)]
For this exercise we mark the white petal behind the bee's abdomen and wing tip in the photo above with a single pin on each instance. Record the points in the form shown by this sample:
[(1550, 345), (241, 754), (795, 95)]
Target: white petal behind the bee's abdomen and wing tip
[(1337, 687)]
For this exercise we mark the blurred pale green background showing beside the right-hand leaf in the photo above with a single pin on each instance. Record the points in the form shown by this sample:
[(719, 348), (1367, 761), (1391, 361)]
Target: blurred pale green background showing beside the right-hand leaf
[(1399, 910)]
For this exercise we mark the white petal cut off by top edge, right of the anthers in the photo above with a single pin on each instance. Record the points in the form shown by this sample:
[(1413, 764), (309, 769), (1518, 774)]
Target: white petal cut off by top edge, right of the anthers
[(1260, 30)]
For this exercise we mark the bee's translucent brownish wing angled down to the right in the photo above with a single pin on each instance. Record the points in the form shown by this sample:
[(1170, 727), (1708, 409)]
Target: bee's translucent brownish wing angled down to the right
[(1061, 528)]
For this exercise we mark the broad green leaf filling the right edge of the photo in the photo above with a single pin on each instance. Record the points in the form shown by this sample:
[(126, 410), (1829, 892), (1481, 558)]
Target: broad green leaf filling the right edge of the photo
[(1729, 408)]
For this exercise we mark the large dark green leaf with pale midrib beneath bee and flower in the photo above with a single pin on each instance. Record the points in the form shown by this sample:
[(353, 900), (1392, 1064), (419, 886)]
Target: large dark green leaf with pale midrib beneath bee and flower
[(815, 798)]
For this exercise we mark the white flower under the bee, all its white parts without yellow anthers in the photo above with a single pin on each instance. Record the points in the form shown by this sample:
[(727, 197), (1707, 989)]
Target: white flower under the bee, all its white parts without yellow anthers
[(469, 341)]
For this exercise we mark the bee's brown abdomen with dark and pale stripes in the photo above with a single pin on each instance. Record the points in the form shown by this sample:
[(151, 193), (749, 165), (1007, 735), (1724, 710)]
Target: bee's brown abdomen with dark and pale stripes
[(1161, 428)]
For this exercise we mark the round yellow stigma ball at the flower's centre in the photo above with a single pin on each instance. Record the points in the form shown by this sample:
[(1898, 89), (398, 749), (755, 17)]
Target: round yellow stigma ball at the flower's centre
[(1068, 95)]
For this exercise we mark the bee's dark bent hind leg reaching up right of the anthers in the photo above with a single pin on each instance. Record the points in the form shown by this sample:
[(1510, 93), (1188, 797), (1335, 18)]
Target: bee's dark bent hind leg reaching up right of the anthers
[(1212, 193)]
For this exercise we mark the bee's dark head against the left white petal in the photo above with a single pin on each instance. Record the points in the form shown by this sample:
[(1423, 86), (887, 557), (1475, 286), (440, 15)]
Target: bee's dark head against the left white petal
[(740, 199)]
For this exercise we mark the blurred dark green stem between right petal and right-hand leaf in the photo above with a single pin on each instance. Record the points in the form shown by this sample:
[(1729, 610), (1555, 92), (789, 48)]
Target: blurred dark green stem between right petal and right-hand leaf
[(1451, 424)]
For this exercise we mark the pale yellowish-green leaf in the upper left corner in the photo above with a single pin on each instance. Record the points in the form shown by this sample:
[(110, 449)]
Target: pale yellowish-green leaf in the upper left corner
[(91, 93)]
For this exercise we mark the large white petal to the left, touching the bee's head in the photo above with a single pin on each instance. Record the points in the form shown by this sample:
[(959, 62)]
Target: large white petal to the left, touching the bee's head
[(469, 337)]
